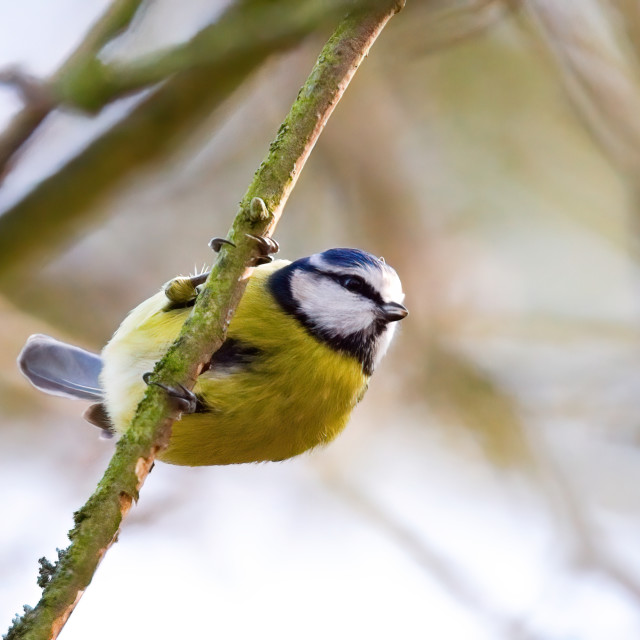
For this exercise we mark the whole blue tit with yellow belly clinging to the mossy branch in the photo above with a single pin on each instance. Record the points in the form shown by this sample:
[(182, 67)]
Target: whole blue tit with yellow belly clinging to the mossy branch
[(300, 350)]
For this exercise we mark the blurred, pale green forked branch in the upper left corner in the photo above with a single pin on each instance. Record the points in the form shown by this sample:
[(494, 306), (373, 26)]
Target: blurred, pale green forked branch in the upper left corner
[(85, 82)]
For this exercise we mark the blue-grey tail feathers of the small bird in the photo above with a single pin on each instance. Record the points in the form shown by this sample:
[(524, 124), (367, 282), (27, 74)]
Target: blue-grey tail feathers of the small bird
[(61, 369)]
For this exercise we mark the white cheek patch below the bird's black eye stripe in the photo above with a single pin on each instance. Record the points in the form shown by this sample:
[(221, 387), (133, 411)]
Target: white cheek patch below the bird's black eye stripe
[(329, 306)]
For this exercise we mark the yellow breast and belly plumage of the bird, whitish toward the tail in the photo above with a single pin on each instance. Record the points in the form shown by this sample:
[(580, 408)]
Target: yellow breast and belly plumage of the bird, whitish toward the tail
[(298, 393)]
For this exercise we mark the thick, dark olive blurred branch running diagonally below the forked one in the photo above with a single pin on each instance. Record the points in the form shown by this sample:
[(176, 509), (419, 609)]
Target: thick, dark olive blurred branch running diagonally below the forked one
[(238, 44)]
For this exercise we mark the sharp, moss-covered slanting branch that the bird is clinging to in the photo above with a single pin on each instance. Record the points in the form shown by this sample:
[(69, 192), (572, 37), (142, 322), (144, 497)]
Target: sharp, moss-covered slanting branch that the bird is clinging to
[(98, 522)]
